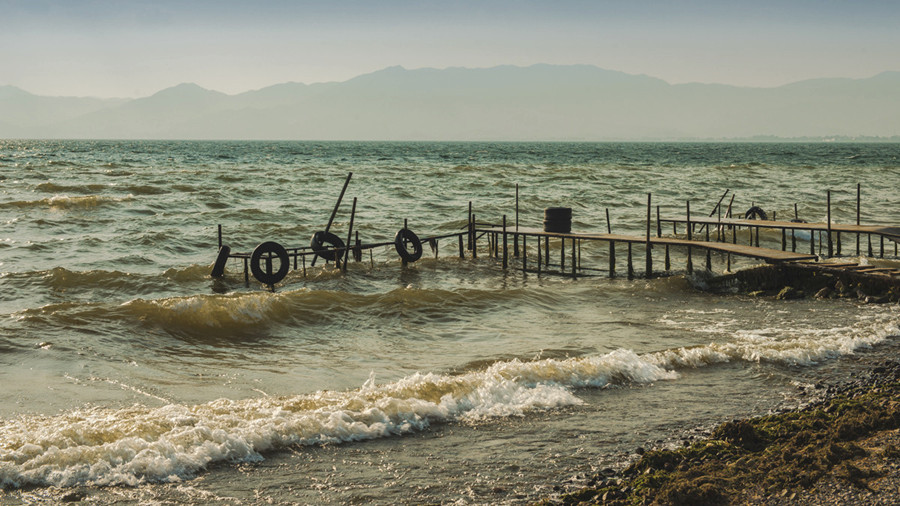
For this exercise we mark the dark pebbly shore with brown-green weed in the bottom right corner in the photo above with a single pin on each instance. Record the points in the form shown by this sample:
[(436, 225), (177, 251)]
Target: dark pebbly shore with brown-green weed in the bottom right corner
[(842, 448)]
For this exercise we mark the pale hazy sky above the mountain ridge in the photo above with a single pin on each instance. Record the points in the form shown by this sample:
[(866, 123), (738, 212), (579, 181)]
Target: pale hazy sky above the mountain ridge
[(129, 48)]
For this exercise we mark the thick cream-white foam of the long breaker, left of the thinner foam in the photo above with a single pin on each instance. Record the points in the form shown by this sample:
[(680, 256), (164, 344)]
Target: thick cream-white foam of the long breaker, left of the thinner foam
[(139, 444)]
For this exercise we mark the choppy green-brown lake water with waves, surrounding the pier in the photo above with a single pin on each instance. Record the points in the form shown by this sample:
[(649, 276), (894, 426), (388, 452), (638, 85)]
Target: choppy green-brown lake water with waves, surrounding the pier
[(123, 363)]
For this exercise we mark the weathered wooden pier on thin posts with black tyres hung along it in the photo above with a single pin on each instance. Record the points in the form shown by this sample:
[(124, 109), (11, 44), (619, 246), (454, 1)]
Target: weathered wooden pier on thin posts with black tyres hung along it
[(722, 236)]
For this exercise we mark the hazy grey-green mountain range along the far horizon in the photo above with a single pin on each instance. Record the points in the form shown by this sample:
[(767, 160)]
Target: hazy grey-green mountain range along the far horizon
[(540, 102)]
